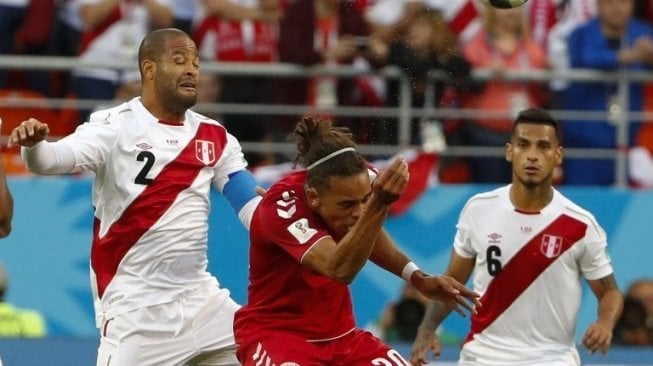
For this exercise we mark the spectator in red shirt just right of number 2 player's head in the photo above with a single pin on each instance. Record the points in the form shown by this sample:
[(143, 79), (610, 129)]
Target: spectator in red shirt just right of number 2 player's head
[(243, 31)]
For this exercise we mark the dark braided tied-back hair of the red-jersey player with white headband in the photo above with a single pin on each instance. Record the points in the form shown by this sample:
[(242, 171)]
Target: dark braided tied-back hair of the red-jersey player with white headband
[(317, 138)]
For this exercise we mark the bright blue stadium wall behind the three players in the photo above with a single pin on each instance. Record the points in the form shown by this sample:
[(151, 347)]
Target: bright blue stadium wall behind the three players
[(47, 254)]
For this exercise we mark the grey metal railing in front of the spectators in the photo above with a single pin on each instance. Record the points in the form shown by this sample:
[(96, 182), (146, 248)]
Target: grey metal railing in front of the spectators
[(404, 113)]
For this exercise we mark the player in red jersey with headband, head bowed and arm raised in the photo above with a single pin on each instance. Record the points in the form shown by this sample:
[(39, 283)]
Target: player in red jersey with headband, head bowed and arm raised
[(310, 236)]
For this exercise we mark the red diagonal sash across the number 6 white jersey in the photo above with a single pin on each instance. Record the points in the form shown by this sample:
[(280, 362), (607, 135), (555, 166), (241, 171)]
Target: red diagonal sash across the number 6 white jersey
[(522, 270)]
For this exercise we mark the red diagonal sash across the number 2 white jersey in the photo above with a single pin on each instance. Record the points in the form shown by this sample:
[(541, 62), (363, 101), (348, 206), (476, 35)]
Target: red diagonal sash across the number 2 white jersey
[(146, 209)]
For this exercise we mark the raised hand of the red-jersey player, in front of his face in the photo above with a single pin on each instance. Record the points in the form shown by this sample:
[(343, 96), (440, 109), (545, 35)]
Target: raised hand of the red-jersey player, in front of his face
[(391, 183)]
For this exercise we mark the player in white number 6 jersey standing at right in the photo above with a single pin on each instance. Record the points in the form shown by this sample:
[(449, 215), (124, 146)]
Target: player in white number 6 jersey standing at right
[(528, 247)]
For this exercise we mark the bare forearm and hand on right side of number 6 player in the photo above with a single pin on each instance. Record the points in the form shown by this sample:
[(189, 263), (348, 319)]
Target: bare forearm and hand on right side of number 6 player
[(598, 336)]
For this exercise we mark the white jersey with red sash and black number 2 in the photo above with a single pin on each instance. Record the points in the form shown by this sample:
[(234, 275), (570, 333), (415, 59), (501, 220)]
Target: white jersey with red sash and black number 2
[(151, 197)]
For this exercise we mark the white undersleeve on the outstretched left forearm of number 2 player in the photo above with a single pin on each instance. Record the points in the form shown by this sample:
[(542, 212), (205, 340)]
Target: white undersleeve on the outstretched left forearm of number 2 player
[(49, 158)]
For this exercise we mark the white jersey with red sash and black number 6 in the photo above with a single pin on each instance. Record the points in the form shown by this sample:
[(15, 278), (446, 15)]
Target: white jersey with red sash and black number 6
[(528, 271)]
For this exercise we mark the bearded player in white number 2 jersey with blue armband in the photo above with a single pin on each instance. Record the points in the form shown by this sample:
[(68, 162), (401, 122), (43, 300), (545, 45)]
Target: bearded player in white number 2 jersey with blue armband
[(154, 162)]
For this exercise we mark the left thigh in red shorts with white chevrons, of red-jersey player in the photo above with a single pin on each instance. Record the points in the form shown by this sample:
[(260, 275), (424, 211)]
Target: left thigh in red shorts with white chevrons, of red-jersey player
[(278, 348)]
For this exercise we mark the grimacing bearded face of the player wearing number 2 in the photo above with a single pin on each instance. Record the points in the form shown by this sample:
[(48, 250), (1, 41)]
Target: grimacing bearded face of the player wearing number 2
[(177, 74)]
